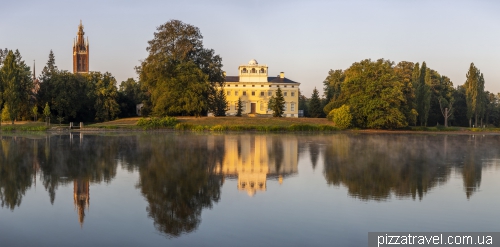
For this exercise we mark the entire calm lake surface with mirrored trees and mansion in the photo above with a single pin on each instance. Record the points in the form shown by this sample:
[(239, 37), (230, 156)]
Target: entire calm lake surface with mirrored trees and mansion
[(175, 189)]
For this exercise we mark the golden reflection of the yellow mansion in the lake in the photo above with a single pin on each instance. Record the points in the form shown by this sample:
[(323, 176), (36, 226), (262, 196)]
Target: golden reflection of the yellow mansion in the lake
[(254, 159)]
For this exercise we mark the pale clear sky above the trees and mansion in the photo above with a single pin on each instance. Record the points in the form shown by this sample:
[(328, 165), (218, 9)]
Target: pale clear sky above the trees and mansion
[(304, 39)]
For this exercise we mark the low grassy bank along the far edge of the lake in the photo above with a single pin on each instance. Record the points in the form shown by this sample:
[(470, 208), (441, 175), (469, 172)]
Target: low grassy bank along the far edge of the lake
[(222, 124)]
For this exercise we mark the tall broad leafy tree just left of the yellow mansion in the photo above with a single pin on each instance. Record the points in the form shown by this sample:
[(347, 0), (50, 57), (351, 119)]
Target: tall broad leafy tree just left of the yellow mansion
[(176, 55)]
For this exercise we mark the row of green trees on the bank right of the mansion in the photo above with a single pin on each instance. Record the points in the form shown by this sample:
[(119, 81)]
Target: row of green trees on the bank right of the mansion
[(381, 94)]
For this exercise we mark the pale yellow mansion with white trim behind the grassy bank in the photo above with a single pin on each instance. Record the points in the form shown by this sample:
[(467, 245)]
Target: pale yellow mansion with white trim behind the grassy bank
[(254, 88)]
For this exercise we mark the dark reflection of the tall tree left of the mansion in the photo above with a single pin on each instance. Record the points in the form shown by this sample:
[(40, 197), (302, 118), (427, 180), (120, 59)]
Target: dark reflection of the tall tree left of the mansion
[(177, 179)]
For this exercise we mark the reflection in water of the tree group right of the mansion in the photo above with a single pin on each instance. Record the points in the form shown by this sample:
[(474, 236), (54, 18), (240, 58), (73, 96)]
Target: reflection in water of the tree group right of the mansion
[(376, 166)]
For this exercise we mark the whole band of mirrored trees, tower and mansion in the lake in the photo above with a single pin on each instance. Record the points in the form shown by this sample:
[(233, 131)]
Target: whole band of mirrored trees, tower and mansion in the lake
[(180, 175)]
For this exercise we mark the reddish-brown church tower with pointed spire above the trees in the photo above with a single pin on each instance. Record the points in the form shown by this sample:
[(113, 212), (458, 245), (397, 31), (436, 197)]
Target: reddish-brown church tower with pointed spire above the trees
[(80, 52)]
